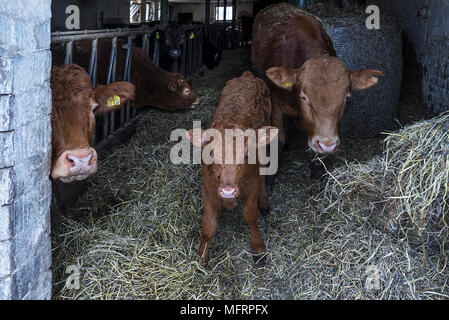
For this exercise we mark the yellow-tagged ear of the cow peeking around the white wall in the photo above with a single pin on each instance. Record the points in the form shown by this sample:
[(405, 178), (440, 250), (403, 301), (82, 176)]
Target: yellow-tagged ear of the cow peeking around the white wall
[(113, 96)]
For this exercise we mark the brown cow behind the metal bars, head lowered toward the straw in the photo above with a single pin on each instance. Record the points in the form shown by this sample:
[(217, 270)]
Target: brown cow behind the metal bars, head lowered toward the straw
[(154, 86)]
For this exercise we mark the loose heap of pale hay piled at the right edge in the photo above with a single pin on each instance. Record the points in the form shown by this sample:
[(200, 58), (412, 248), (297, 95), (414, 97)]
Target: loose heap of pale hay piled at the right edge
[(406, 191)]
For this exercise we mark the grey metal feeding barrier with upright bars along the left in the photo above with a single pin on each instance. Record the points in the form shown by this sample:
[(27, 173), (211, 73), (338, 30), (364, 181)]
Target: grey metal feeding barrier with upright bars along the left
[(219, 35)]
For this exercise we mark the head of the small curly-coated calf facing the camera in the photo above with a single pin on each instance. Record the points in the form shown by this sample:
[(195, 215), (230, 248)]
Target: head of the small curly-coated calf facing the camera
[(231, 175)]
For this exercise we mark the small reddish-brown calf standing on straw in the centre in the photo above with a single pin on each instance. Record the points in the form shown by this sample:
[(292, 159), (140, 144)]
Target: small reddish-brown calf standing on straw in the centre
[(244, 104)]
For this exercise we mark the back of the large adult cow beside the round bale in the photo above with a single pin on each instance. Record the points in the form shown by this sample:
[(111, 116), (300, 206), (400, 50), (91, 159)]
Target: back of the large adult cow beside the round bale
[(286, 36)]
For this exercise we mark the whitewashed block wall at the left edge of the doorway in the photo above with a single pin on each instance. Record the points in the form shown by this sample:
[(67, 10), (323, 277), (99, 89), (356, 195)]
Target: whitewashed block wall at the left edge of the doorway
[(25, 149)]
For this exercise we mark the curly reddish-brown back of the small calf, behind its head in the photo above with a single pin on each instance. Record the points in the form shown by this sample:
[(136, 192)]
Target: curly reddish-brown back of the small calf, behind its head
[(244, 103)]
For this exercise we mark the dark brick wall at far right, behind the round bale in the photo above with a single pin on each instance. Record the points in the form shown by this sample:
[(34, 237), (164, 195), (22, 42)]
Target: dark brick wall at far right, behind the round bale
[(426, 24)]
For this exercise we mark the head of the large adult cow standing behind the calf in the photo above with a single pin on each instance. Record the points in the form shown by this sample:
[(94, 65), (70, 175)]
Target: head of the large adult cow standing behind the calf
[(322, 86)]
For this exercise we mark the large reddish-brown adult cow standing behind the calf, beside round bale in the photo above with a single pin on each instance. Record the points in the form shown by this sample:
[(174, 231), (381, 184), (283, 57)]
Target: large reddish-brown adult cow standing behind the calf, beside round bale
[(293, 52)]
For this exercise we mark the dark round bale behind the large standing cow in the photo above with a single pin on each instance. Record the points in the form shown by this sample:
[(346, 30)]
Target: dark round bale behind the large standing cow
[(371, 111)]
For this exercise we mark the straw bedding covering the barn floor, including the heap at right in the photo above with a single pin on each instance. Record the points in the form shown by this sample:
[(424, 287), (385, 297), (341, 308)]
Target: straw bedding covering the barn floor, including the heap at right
[(136, 233)]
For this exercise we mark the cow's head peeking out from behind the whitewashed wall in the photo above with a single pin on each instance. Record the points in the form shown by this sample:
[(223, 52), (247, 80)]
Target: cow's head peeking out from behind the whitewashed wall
[(75, 104)]
